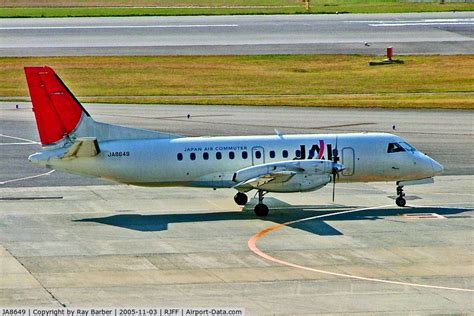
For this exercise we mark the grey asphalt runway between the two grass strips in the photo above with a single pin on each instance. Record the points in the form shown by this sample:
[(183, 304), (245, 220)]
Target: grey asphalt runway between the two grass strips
[(412, 33)]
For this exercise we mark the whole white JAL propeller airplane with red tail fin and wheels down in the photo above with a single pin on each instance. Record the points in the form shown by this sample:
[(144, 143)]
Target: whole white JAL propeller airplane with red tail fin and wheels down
[(73, 142)]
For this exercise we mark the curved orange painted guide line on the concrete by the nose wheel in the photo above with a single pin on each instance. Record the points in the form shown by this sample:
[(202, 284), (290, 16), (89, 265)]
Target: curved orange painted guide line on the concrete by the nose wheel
[(252, 244)]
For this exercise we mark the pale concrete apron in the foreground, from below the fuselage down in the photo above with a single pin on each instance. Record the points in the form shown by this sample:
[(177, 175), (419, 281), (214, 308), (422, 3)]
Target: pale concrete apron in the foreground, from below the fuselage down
[(180, 247)]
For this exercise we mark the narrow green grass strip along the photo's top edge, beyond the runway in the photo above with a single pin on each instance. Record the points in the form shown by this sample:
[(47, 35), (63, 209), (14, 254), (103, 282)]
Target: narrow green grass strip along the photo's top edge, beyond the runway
[(11, 9)]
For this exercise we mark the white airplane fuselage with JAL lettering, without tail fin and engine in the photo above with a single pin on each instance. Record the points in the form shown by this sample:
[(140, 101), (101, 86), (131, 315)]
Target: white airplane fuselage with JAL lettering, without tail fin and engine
[(212, 161)]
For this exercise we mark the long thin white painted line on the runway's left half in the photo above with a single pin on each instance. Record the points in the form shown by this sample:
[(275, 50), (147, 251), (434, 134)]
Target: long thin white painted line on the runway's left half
[(95, 27)]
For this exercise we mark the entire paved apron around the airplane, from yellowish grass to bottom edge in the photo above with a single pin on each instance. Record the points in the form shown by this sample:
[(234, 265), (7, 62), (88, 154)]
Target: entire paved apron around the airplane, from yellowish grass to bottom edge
[(67, 241)]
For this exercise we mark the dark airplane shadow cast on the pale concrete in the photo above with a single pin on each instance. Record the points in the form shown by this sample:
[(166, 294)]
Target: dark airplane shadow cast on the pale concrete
[(280, 212)]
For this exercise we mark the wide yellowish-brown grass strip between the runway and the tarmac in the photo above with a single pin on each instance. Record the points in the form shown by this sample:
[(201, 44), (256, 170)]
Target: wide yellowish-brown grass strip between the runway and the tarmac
[(303, 80)]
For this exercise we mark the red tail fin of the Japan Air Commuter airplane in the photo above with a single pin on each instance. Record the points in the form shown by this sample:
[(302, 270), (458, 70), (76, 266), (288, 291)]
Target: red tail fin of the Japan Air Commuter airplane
[(56, 109)]
